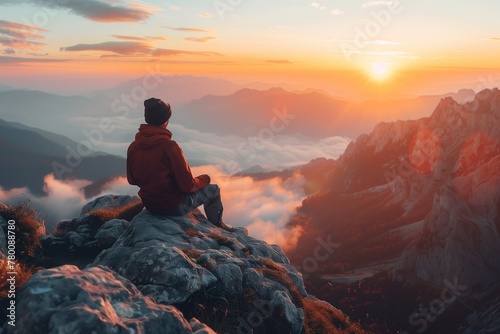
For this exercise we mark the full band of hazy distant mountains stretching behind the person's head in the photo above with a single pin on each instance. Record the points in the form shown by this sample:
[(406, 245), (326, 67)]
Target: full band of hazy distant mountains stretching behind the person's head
[(210, 106)]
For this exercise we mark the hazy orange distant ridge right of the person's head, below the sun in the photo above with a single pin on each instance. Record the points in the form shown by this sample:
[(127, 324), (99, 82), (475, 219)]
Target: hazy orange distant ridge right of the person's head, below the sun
[(311, 113)]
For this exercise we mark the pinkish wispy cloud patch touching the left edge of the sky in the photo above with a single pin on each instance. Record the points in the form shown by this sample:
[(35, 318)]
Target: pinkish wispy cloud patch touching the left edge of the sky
[(17, 36)]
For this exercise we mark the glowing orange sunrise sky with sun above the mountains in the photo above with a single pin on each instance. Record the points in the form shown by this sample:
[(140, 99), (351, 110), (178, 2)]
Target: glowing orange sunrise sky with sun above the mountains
[(349, 46)]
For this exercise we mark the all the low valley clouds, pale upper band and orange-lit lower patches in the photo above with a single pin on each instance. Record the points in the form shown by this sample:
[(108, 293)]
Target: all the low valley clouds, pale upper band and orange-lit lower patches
[(262, 206)]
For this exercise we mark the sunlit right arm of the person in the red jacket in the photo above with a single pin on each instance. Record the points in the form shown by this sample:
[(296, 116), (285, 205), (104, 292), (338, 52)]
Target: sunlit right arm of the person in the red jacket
[(182, 172)]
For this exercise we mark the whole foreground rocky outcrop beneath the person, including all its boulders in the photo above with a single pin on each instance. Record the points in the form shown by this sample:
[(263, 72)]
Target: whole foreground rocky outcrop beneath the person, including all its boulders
[(159, 274)]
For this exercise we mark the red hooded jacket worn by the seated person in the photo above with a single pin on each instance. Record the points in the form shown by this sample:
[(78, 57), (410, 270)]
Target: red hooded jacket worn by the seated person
[(157, 165)]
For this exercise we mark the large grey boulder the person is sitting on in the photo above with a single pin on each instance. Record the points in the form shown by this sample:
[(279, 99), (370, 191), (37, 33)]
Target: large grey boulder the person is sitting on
[(175, 260)]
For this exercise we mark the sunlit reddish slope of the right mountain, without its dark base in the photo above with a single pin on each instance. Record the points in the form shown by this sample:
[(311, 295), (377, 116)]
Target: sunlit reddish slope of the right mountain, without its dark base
[(432, 182)]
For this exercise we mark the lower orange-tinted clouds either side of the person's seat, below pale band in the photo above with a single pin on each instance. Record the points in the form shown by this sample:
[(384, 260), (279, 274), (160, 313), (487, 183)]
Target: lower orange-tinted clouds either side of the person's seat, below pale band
[(264, 207)]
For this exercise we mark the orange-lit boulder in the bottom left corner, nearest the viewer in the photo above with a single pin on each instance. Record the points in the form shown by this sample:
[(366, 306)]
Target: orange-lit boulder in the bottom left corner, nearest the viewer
[(95, 300)]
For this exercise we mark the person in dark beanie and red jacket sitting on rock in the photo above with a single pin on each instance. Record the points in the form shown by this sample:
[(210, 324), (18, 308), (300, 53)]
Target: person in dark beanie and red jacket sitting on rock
[(157, 165)]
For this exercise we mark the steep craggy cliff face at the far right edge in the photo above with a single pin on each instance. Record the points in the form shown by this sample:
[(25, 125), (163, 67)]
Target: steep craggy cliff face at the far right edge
[(460, 236)]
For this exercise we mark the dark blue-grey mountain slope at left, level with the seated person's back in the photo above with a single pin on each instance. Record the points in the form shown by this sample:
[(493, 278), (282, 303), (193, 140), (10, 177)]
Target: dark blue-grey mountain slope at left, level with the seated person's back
[(27, 155)]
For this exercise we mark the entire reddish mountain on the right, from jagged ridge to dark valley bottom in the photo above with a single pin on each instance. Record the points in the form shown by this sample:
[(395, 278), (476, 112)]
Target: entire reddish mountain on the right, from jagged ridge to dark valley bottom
[(419, 202)]
